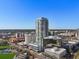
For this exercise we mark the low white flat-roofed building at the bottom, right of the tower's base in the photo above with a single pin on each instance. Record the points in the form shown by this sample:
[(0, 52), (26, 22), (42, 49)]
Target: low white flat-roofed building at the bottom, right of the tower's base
[(58, 53)]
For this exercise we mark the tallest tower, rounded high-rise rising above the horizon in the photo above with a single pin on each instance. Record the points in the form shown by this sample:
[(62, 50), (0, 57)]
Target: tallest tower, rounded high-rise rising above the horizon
[(41, 31)]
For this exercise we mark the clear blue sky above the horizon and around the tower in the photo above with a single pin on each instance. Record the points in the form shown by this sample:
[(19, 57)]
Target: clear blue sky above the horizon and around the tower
[(22, 14)]
